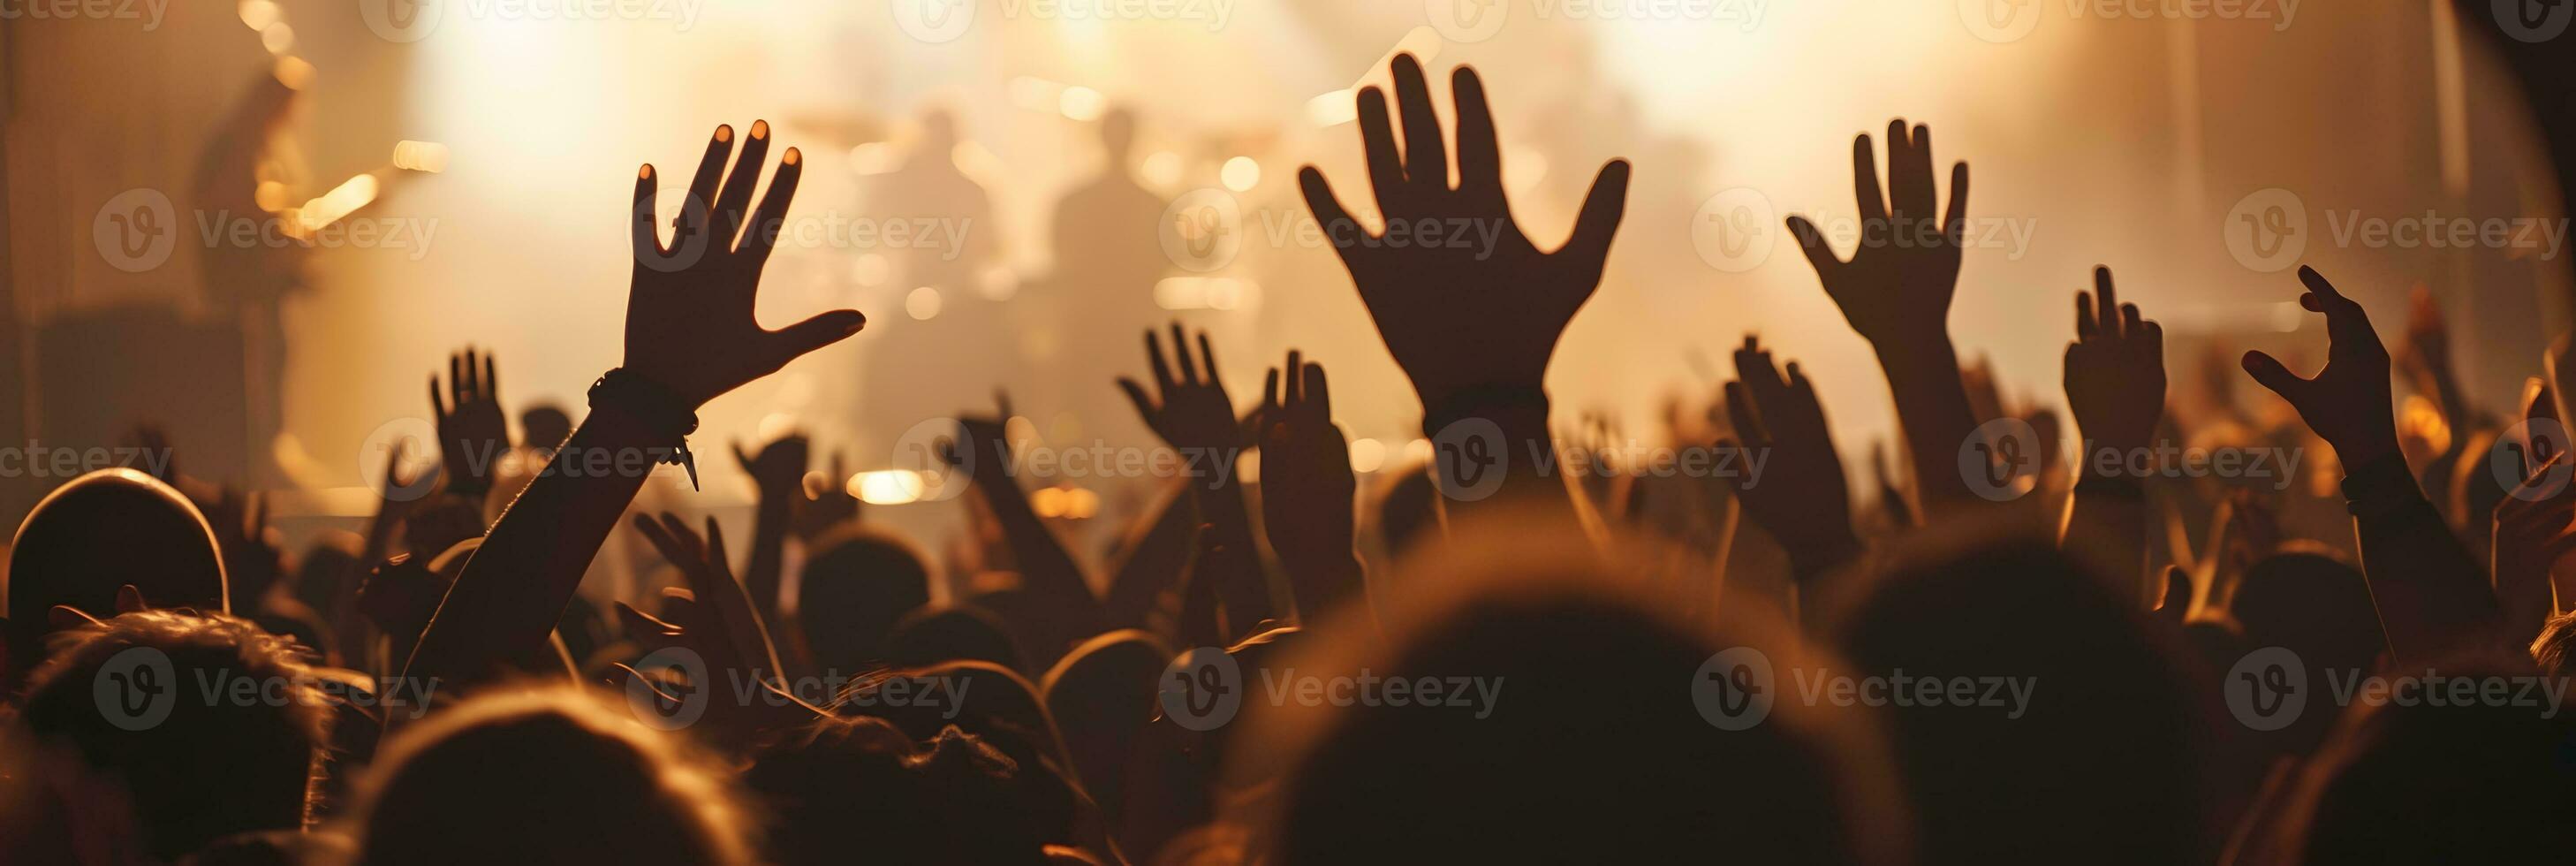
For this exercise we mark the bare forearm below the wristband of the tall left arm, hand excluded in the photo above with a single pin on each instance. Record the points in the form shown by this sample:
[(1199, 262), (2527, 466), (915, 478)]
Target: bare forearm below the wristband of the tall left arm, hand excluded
[(516, 586)]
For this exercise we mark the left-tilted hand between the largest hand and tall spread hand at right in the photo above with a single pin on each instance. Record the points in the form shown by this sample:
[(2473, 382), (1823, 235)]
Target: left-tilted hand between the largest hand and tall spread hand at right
[(1799, 491)]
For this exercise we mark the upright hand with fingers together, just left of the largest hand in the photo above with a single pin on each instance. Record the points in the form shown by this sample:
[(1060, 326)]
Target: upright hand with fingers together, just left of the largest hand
[(1307, 488)]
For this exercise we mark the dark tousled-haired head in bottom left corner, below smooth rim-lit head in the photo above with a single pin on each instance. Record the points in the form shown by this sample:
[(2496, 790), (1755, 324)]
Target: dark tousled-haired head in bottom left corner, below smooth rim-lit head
[(120, 718)]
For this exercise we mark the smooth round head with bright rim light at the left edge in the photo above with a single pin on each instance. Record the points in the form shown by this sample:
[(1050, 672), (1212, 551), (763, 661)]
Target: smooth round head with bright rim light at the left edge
[(97, 535)]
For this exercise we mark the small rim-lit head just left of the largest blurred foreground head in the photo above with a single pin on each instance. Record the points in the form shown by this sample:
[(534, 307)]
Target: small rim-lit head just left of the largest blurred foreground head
[(1104, 697)]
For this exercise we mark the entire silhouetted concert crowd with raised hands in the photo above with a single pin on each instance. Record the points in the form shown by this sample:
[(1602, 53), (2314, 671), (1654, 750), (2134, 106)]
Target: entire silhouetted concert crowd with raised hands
[(1993, 651)]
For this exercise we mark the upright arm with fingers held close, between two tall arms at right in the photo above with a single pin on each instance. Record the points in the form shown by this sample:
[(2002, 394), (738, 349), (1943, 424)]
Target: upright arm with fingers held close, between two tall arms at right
[(2116, 390)]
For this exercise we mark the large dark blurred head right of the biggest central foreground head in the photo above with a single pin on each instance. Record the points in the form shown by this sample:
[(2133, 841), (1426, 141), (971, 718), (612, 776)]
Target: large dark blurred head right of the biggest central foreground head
[(2080, 738)]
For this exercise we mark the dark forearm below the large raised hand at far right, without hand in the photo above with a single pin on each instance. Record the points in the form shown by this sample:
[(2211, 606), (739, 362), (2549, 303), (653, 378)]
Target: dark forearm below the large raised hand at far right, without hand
[(2430, 592)]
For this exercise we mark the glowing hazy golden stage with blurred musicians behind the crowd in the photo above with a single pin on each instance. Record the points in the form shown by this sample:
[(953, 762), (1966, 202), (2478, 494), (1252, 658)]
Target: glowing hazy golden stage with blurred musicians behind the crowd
[(1070, 174)]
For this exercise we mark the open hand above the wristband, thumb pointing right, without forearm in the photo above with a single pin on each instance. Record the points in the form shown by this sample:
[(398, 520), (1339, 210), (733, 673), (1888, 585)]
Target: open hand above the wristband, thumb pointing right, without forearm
[(689, 313)]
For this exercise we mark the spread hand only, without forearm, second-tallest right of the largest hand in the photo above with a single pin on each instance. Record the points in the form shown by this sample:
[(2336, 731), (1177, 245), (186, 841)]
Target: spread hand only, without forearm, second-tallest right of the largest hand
[(1897, 285)]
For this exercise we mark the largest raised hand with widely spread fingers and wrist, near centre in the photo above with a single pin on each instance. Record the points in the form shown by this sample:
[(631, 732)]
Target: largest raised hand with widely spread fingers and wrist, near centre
[(1475, 323)]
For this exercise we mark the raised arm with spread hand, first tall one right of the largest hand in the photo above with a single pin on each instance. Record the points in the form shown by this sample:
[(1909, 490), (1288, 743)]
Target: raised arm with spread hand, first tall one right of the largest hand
[(1897, 295)]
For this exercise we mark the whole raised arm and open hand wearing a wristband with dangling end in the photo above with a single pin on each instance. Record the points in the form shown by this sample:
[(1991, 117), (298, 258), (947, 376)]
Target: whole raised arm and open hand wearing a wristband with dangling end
[(689, 339)]
